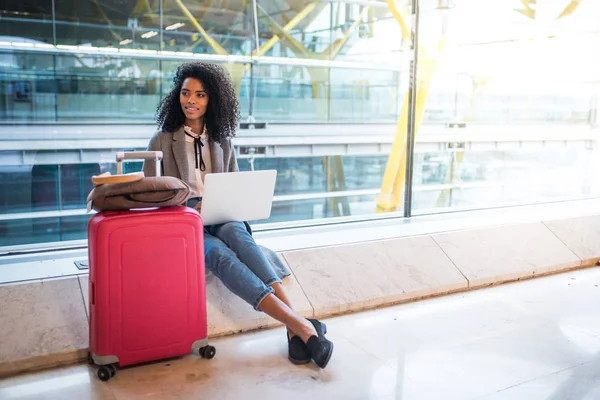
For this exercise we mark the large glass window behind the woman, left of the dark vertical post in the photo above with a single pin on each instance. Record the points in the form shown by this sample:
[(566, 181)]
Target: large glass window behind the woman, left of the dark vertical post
[(338, 63)]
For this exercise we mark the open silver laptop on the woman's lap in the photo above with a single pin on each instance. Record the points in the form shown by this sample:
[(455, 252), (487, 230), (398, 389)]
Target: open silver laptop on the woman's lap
[(237, 196)]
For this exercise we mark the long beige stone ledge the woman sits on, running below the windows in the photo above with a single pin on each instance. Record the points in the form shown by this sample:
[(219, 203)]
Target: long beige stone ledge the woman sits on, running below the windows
[(44, 323)]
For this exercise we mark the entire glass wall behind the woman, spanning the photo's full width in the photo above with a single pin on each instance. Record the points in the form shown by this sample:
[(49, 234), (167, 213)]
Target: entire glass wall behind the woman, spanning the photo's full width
[(481, 104)]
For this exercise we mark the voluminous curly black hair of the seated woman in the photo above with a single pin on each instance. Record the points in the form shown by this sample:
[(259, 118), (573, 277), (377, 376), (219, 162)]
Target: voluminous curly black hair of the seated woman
[(222, 113)]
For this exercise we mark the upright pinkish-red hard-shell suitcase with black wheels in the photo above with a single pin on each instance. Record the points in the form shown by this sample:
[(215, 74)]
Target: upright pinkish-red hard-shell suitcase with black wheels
[(147, 293)]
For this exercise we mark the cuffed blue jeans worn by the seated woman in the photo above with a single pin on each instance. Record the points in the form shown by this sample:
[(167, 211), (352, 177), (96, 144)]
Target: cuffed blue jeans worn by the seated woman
[(232, 255)]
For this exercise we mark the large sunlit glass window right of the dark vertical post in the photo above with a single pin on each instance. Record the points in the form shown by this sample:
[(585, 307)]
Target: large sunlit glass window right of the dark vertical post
[(513, 103)]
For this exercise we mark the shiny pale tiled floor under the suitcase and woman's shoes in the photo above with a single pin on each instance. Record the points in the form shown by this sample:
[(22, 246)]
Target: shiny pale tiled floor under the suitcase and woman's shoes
[(532, 340)]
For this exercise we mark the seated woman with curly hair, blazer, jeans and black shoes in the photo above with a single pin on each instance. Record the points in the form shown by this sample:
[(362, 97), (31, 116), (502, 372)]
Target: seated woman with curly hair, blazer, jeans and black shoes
[(196, 120)]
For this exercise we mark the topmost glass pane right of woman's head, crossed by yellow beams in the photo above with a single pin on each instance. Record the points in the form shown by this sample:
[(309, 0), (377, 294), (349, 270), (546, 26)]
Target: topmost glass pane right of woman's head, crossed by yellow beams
[(335, 30)]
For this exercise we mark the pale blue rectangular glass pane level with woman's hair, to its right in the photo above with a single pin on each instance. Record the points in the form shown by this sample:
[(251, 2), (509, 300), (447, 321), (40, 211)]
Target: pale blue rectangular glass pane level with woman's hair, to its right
[(289, 93)]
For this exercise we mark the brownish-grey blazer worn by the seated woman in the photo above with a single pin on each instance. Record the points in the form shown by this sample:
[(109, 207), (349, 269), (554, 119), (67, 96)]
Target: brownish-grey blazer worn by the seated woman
[(175, 161)]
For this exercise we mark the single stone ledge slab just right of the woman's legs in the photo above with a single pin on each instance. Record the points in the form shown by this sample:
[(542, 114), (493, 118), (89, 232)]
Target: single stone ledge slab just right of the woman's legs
[(355, 277)]
